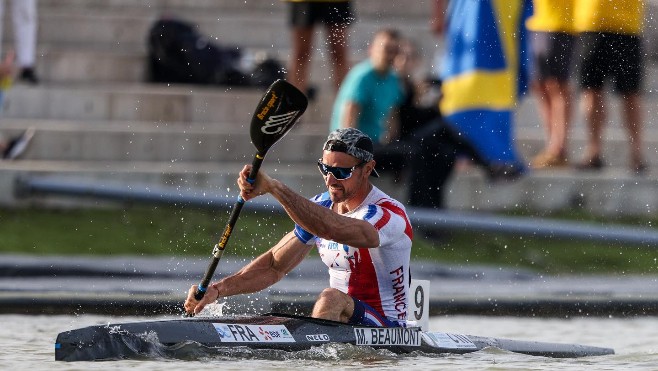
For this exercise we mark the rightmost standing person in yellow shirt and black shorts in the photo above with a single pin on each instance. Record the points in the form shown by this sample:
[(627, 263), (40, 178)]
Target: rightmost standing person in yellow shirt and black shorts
[(610, 31)]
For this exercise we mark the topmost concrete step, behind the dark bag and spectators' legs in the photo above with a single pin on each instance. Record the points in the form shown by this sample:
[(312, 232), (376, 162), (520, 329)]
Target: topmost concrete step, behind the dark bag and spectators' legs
[(117, 30)]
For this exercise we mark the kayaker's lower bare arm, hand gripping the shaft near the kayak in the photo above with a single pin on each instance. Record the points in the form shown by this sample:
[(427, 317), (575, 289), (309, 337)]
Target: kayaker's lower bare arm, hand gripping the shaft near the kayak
[(264, 271)]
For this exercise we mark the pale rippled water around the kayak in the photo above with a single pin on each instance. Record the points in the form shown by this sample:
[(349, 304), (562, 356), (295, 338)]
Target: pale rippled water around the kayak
[(27, 342)]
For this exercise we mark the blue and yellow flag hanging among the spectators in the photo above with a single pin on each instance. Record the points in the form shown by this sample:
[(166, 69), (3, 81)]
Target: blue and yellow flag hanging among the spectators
[(484, 71)]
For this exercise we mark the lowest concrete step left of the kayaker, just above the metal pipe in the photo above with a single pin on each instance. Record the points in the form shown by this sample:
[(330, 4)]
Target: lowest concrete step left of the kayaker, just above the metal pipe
[(186, 177)]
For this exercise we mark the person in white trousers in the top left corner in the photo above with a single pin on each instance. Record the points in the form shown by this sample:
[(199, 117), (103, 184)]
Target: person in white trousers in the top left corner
[(24, 17)]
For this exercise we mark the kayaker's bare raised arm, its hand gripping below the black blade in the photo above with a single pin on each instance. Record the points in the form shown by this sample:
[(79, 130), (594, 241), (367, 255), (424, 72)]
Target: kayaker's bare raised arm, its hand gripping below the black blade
[(318, 220)]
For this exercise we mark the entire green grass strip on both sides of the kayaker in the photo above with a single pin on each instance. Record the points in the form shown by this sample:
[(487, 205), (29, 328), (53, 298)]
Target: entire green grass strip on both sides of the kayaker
[(159, 230)]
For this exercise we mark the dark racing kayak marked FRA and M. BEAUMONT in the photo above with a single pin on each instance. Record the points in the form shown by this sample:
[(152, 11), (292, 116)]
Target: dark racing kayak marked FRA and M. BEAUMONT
[(172, 338)]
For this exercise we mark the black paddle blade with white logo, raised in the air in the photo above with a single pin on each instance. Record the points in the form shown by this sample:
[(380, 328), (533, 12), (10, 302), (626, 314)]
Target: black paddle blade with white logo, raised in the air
[(276, 114)]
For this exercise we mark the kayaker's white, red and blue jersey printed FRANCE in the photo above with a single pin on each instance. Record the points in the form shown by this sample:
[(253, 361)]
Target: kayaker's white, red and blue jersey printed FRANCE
[(377, 276)]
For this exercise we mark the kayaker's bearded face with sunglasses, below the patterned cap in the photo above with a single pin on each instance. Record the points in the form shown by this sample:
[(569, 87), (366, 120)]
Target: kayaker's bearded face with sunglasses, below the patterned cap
[(343, 190)]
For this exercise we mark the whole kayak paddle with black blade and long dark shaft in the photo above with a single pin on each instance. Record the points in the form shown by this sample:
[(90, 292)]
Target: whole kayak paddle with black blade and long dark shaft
[(275, 115)]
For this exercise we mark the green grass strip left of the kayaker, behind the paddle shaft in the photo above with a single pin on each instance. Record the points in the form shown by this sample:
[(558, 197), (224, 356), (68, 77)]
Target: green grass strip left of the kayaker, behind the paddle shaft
[(136, 230)]
